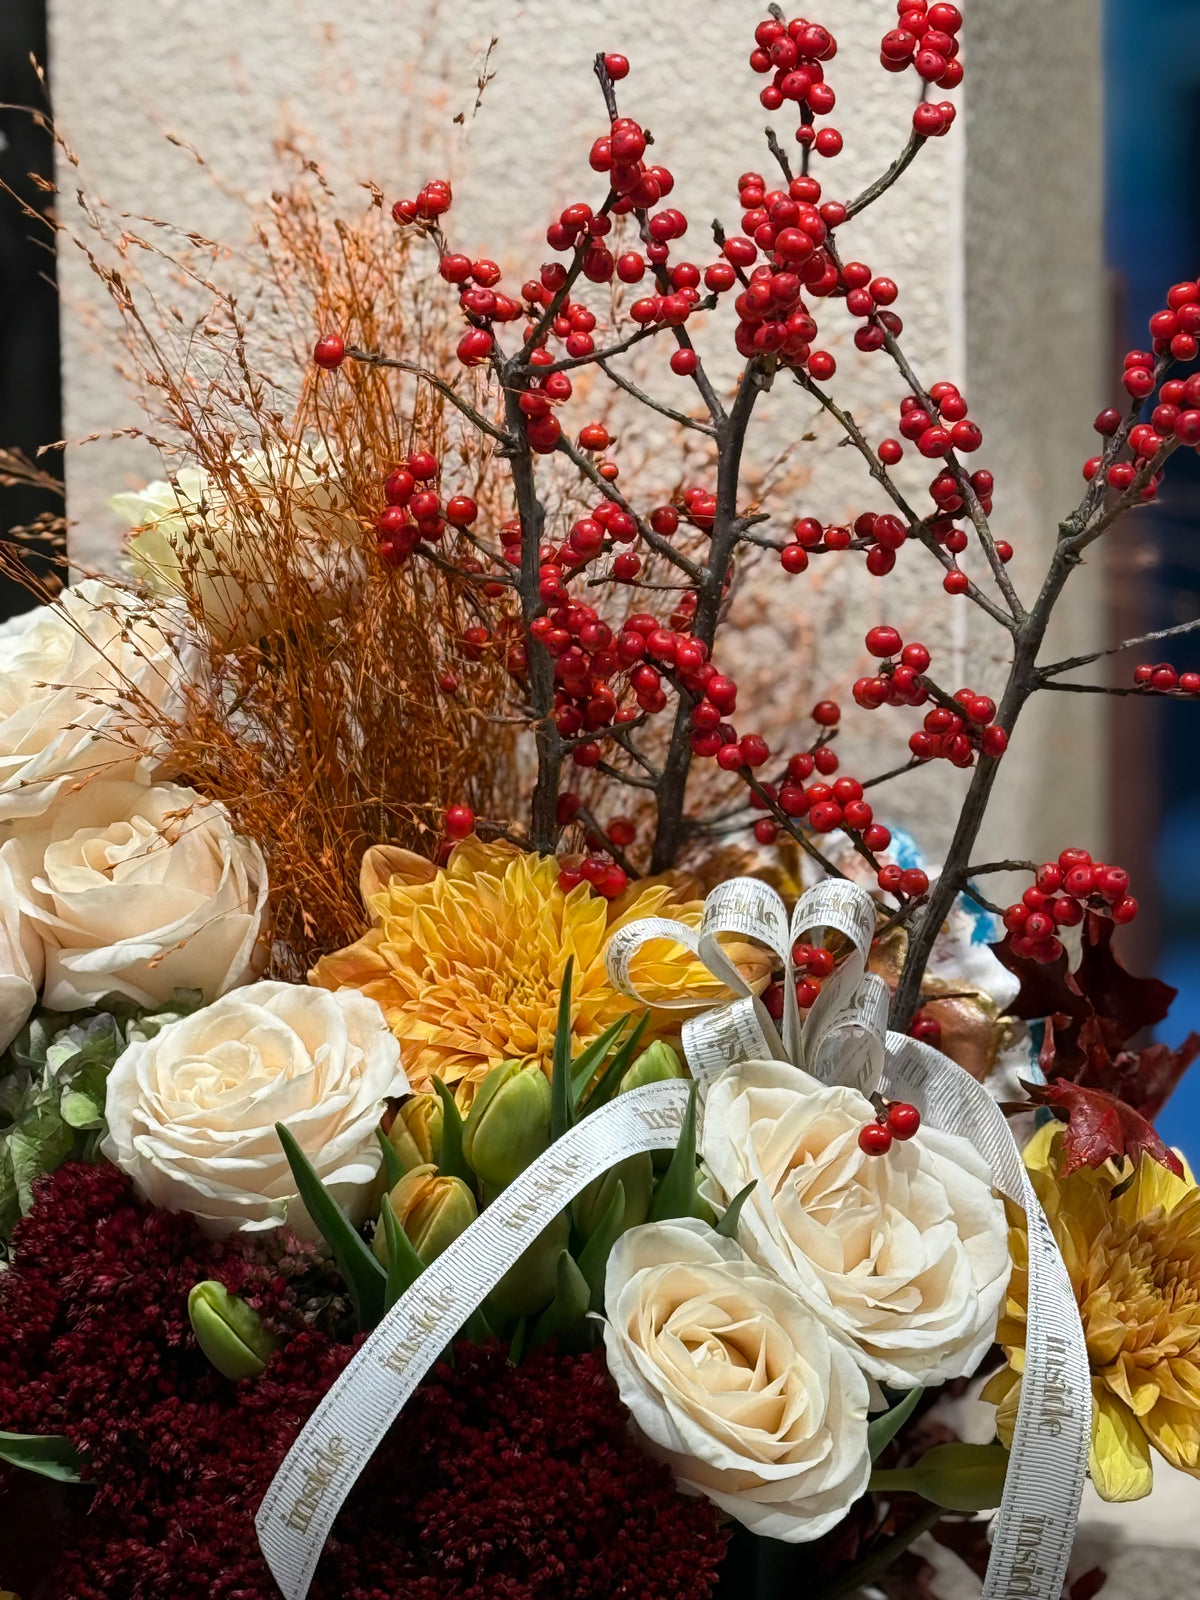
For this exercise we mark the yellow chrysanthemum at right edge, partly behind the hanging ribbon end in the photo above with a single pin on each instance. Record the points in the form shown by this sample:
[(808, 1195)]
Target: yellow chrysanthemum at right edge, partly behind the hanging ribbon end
[(1132, 1246)]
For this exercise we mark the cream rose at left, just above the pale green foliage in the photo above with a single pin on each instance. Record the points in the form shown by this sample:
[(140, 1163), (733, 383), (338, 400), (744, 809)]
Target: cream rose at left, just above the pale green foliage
[(134, 890)]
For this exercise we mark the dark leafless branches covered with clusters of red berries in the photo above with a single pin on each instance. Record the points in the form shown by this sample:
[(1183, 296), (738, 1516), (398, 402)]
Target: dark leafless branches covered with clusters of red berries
[(630, 692)]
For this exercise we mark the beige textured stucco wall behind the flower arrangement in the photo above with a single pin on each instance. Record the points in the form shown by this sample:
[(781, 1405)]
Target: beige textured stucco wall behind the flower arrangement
[(975, 236)]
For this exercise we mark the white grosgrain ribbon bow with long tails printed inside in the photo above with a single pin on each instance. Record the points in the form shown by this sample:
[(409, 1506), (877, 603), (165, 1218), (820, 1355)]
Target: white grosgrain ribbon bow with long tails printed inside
[(844, 1041)]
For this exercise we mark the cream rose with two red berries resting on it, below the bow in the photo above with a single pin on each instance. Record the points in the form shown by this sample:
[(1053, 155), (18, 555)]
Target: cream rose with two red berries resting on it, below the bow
[(902, 1255)]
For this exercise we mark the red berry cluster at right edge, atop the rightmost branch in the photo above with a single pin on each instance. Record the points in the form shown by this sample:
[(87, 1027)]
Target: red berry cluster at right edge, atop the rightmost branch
[(1175, 334)]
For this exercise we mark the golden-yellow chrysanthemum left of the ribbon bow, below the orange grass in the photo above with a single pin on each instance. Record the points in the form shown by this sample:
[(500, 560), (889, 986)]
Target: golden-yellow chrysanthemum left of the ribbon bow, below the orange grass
[(468, 962)]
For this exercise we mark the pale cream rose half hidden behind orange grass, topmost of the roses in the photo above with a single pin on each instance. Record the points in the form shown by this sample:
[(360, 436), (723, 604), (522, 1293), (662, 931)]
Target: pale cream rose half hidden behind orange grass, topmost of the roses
[(191, 543)]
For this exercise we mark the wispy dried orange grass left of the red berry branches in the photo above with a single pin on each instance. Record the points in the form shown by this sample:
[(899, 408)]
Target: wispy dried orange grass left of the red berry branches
[(327, 727)]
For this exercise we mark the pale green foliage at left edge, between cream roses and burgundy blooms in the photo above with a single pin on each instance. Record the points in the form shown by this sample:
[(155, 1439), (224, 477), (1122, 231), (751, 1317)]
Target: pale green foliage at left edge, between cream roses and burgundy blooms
[(52, 1089)]
